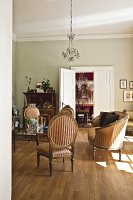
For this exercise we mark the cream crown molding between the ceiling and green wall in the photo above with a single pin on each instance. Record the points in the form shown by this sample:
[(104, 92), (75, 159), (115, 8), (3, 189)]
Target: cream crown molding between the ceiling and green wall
[(31, 38)]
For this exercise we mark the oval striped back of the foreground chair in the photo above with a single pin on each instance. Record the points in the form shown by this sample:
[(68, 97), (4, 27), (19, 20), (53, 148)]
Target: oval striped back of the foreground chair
[(62, 131)]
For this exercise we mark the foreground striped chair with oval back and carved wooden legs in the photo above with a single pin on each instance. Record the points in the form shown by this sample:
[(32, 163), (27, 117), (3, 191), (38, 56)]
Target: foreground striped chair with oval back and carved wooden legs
[(62, 132)]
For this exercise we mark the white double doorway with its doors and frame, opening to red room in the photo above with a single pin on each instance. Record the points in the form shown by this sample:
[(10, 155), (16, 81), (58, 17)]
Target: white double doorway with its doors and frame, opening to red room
[(101, 97)]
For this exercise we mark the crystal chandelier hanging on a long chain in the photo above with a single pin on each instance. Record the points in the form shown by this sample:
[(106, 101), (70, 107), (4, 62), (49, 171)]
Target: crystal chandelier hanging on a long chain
[(71, 53)]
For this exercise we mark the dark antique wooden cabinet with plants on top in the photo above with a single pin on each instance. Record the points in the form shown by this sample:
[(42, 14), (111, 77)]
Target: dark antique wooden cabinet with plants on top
[(46, 102)]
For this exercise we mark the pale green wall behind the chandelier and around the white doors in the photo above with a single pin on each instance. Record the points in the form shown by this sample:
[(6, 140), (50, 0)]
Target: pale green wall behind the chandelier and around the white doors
[(43, 59)]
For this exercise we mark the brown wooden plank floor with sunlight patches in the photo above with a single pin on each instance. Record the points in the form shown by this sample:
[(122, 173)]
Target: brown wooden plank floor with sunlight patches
[(103, 179)]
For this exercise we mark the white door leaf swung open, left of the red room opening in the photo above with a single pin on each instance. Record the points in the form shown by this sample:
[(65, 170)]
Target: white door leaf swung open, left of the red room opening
[(67, 88)]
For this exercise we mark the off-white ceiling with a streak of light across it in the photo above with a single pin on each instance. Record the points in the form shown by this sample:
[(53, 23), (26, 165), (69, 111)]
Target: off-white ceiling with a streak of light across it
[(50, 19)]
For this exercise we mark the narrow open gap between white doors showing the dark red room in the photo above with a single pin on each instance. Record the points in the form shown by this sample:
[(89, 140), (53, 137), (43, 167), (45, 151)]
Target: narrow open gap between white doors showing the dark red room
[(84, 84)]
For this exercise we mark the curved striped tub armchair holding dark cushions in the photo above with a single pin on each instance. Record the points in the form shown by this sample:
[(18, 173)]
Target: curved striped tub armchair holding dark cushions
[(109, 137)]
